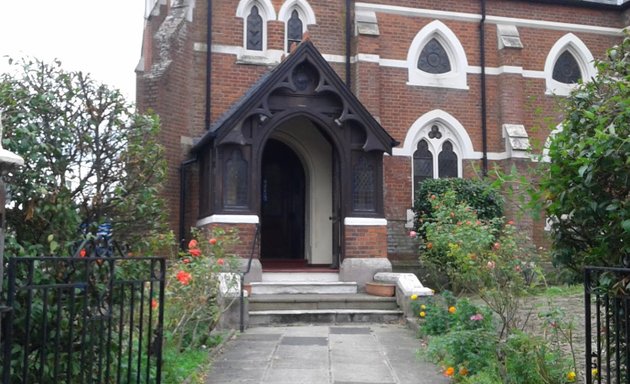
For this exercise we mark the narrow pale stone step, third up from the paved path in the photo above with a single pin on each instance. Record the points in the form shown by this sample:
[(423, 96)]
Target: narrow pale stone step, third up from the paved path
[(302, 287)]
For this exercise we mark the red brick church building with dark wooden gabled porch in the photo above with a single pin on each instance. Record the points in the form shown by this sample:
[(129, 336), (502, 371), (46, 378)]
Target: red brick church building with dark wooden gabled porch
[(312, 121)]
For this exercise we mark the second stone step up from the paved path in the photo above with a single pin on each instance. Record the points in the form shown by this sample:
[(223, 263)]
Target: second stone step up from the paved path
[(314, 302)]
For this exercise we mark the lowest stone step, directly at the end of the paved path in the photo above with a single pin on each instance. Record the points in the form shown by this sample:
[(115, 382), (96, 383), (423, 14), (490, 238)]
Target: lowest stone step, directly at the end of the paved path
[(330, 316)]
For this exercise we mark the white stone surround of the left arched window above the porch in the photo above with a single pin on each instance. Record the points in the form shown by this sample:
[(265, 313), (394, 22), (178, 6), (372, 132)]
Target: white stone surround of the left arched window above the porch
[(267, 12)]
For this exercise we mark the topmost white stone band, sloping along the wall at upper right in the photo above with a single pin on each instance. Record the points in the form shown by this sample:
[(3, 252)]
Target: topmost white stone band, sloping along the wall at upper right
[(474, 17)]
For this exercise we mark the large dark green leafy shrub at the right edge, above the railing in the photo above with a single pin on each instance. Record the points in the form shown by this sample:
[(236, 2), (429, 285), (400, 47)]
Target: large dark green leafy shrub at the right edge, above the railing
[(587, 187)]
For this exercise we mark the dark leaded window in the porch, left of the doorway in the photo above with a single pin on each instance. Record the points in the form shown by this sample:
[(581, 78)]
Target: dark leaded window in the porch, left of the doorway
[(235, 179)]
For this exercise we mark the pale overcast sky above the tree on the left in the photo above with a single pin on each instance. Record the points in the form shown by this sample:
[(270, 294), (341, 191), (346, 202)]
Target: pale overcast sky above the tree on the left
[(103, 38)]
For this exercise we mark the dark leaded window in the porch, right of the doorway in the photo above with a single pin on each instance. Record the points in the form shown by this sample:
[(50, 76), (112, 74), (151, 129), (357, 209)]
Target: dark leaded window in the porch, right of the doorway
[(363, 187)]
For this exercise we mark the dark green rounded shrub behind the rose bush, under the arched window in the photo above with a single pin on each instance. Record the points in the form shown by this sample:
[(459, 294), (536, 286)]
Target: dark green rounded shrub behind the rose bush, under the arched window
[(478, 195)]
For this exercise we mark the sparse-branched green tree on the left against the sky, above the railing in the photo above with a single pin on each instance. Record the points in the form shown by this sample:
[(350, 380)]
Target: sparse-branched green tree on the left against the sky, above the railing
[(89, 158)]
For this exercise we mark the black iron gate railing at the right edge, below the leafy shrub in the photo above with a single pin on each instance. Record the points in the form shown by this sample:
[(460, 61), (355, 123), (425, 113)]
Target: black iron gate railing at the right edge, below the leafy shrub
[(607, 322)]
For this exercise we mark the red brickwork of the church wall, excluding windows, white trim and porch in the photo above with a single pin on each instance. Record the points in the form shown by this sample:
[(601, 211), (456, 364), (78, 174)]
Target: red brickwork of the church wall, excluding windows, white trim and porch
[(177, 93)]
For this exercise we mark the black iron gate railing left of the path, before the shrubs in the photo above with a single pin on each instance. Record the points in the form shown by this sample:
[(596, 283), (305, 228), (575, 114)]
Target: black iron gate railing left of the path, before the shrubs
[(83, 320)]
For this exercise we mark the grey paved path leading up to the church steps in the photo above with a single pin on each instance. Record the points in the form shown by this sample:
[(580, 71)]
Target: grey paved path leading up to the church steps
[(324, 354)]
